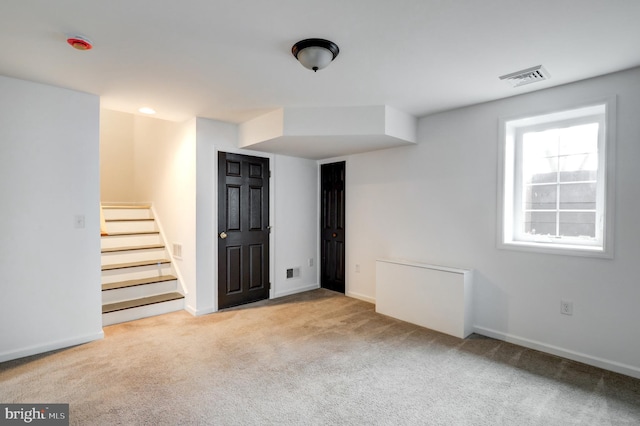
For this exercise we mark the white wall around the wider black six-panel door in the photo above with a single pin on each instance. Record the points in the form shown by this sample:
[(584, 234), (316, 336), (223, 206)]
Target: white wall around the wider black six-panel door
[(293, 207)]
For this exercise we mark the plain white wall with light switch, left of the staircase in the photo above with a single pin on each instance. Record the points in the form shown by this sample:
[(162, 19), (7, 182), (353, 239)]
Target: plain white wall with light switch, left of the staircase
[(49, 174)]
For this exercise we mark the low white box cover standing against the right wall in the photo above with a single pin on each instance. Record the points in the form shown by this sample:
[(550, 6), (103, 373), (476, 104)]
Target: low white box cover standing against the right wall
[(435, 297)]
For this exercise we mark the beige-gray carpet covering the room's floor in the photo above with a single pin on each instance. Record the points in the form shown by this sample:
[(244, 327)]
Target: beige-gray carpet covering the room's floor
[(316, 358)]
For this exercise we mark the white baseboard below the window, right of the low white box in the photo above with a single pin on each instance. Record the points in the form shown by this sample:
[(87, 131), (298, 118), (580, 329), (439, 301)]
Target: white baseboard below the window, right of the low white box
[(614, 366)]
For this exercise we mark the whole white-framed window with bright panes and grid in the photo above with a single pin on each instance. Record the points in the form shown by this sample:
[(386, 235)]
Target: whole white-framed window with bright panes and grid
[(555, 183)]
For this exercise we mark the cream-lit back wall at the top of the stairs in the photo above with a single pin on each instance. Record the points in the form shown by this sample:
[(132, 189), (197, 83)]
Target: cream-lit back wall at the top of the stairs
[(116, 156)]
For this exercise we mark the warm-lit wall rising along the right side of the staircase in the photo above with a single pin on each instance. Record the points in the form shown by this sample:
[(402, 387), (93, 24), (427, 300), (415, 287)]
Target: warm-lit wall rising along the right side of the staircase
[(165, 174)]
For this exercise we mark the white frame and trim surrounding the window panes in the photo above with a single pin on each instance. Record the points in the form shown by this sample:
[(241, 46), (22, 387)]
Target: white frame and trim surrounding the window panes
[(510, 178)]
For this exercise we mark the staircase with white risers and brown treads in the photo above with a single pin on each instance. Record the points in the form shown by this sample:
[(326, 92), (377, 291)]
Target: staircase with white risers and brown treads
[(138, 279)]
